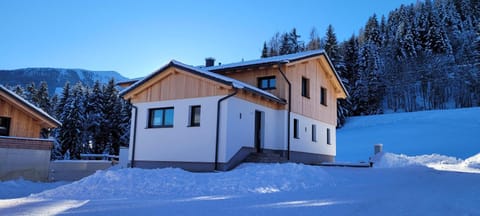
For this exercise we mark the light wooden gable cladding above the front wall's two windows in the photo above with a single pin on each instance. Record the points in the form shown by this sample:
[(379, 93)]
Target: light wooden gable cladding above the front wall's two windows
[(175, 83)]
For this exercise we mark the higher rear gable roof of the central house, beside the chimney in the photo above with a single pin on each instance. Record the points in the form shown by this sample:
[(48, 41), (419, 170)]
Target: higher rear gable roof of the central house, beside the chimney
[(283, 59)]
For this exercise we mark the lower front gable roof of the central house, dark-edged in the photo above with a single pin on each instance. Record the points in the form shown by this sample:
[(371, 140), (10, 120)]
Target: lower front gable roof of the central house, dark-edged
[(206, 74)]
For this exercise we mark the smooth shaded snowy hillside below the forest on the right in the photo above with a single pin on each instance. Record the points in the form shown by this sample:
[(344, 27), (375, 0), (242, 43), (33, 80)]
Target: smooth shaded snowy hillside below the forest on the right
[(446, 132)]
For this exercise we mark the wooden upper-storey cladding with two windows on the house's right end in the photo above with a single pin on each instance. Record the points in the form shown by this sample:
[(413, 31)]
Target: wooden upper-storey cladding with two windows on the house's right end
[(310, 106)]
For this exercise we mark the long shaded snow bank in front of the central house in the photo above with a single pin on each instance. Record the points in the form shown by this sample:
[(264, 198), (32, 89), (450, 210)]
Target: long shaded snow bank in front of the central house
[(248, 178)]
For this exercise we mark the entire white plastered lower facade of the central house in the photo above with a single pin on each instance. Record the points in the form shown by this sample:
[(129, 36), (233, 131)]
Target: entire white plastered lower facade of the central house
[(183, 143)]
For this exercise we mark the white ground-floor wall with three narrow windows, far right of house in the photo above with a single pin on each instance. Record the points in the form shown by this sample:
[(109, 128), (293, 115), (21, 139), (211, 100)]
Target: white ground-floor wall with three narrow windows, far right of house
[(305, 144)]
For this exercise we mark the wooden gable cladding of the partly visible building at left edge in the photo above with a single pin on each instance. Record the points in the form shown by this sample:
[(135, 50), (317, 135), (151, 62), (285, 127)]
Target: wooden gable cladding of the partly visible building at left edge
[(22, 123)]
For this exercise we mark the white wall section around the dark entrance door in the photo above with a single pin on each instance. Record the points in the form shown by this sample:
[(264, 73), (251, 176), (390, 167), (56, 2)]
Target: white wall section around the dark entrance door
[(241, 130)]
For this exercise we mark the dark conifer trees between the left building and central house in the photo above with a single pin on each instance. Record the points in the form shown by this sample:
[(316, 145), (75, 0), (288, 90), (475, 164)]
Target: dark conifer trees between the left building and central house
[(95, 120)]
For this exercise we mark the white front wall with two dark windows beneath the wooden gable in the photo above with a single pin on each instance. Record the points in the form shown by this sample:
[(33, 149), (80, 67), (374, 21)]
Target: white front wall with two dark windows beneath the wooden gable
[(181, 142)]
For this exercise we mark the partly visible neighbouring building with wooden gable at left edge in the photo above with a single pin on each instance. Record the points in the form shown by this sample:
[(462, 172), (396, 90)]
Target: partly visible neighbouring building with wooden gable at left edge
[(23, 153)]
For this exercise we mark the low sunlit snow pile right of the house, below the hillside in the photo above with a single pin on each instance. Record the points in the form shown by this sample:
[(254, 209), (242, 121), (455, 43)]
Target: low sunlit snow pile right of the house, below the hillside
[(390, 160)]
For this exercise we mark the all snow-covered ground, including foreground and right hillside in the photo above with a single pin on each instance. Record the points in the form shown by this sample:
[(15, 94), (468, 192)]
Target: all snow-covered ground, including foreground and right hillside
[(425, 179)]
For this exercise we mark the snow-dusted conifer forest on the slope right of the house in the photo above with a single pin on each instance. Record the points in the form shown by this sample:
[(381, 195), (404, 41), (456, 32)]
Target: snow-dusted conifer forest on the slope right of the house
[(421, 56)]
